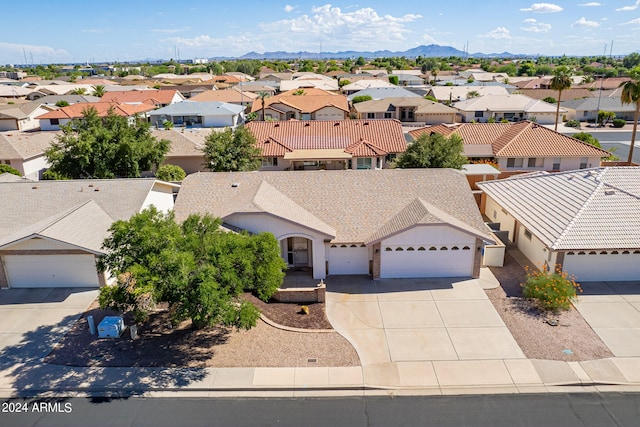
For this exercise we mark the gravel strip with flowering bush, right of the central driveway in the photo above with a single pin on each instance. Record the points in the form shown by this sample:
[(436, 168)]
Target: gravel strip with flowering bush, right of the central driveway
[(572, 340)]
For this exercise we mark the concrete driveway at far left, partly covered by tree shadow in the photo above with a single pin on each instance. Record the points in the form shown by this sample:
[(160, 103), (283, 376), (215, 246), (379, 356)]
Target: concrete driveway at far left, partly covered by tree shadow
[(34, 320)]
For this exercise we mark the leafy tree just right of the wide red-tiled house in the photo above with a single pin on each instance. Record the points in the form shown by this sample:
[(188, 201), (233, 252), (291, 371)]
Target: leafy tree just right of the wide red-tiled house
[(433, 151)]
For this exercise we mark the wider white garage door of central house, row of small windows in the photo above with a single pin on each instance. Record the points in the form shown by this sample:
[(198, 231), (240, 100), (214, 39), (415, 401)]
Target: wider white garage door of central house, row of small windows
[(426, 261)]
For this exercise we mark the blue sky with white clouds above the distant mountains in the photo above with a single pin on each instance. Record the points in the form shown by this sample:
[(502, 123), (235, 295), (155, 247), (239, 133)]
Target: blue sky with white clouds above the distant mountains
[(79, 31)]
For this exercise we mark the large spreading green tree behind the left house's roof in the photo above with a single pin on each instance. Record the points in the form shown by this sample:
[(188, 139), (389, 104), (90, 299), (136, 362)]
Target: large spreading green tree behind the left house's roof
[(104, 147)]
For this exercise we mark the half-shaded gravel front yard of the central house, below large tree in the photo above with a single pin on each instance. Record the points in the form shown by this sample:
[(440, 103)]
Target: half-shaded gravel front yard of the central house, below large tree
[(160, 345)]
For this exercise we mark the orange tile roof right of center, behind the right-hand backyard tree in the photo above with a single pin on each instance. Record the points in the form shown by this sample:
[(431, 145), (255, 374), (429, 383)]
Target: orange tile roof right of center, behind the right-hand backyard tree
[(521, 139)]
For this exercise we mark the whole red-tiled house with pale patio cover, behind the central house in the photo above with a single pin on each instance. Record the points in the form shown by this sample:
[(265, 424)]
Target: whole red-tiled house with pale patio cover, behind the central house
[(330, 145)]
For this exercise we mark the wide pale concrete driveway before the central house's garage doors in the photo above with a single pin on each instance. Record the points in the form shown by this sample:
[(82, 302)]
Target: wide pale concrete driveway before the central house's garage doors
[(412, 320)]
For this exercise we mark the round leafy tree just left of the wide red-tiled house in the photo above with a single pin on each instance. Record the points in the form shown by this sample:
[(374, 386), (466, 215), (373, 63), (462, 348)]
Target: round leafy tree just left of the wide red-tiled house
[(231, 151)]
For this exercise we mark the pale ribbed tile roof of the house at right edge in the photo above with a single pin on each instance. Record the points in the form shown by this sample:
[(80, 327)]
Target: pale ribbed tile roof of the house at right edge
[(586, 209)]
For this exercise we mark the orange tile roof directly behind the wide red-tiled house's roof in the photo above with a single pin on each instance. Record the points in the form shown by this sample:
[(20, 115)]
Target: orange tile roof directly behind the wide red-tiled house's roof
[(311, 100)]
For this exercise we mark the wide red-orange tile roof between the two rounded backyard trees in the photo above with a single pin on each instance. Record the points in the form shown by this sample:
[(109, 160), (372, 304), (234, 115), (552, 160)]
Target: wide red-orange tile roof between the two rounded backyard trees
[(360, 136)]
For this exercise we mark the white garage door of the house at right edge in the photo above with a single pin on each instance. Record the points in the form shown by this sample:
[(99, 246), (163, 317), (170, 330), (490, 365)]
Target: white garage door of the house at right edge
[(610, 266)]
